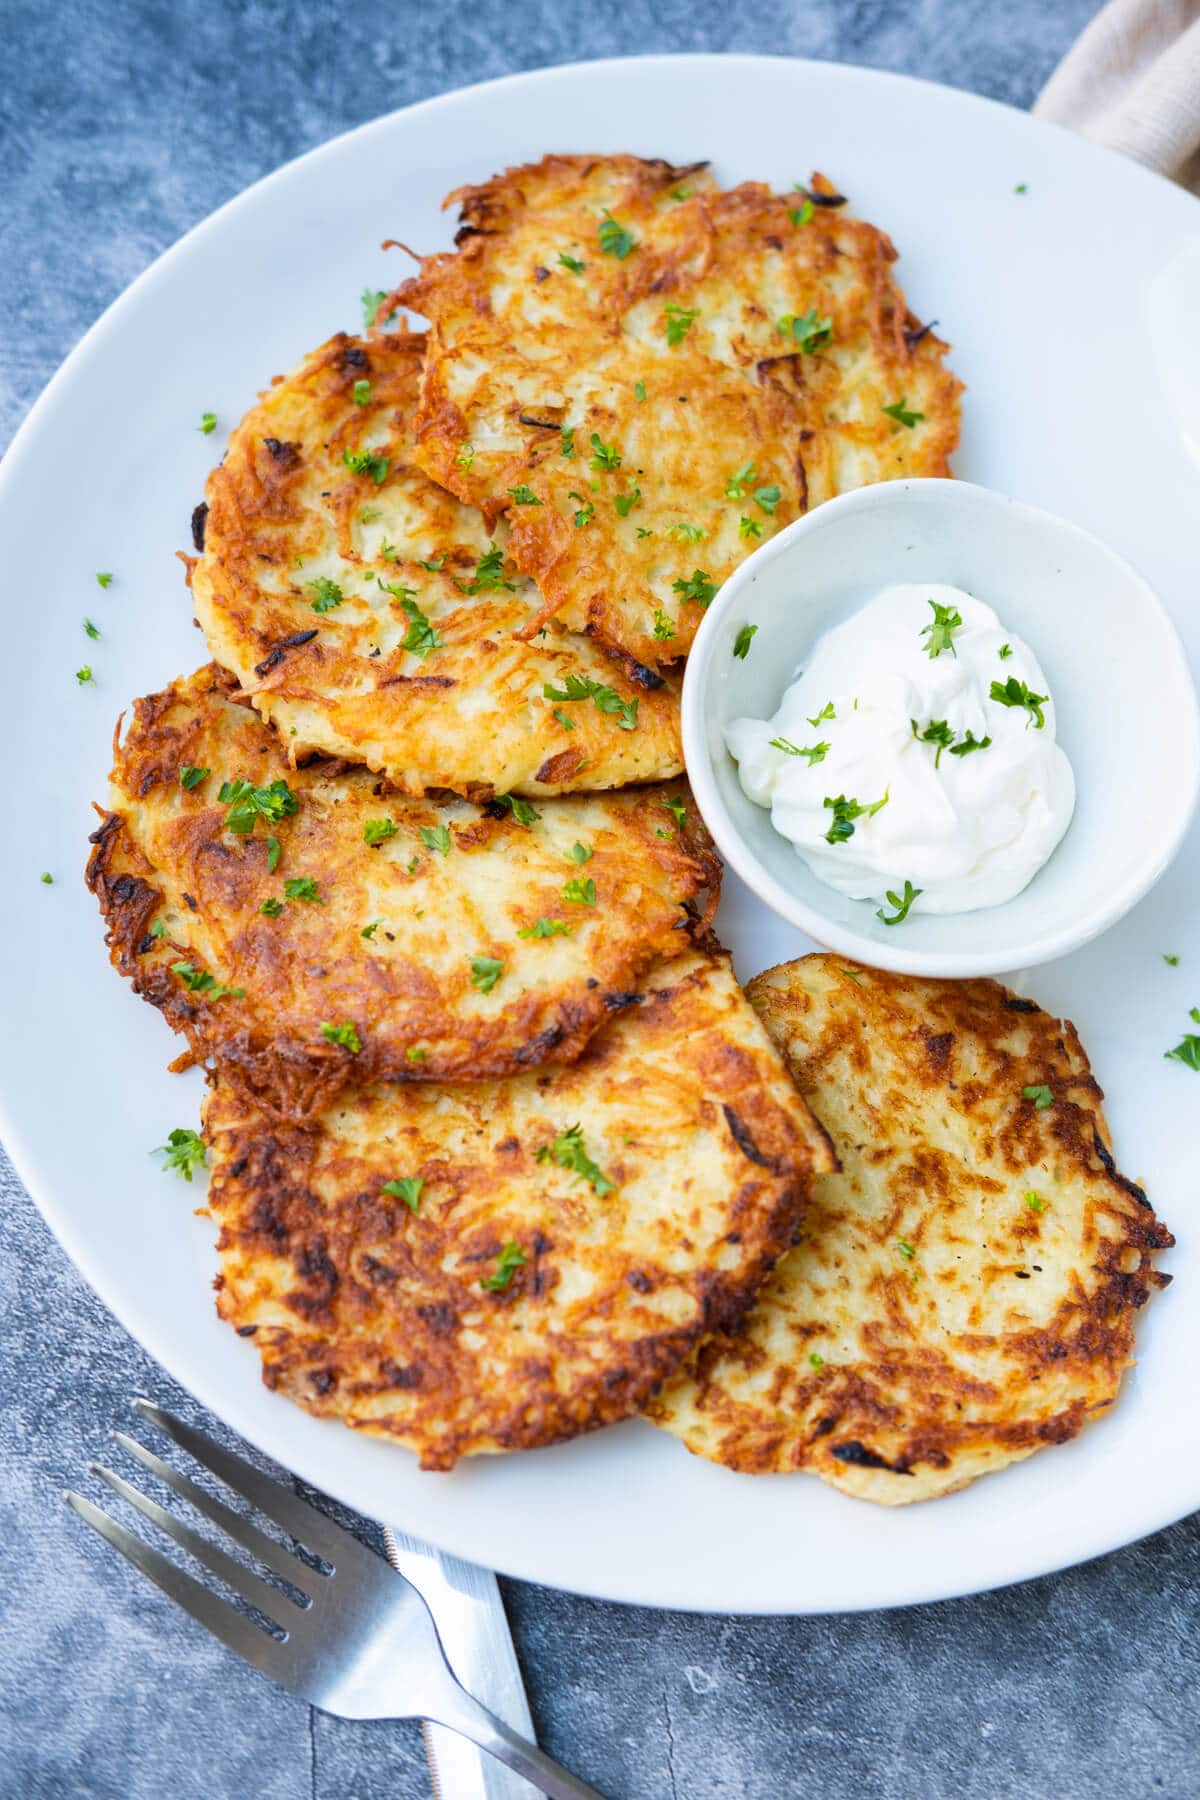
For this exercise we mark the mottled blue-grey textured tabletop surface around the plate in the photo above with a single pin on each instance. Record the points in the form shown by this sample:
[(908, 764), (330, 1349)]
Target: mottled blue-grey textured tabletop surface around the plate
[(121, 125)]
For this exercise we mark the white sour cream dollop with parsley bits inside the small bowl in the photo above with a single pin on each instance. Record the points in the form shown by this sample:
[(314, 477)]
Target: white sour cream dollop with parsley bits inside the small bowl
[(893, 762)]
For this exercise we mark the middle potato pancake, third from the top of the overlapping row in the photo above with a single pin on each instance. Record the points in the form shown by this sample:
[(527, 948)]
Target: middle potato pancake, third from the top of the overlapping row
[(307, 926)]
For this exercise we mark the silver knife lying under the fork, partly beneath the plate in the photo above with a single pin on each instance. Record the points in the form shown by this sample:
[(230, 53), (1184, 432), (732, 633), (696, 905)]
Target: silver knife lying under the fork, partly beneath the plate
[(476, 1637)]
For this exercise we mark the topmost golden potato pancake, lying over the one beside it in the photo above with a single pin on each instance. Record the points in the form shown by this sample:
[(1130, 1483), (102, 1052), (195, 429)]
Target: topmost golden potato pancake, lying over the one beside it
[(652, 375)]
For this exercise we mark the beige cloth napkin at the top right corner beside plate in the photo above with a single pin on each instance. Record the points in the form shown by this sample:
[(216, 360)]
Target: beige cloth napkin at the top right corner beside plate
[(1133, 82)]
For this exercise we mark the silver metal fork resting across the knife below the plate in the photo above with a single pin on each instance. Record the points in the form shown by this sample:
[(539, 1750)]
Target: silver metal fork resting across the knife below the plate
[(354, 1637)]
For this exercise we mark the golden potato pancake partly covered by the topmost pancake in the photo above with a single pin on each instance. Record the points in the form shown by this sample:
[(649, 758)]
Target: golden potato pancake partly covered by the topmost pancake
[(370, 615)]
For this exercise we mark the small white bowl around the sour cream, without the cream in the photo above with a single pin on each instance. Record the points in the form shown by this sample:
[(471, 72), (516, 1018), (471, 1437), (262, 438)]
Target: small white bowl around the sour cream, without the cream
[(1115, 663)]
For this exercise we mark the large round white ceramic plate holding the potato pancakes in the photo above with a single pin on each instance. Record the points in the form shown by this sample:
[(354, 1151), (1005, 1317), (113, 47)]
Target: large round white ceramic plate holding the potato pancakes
[(1073, 314)]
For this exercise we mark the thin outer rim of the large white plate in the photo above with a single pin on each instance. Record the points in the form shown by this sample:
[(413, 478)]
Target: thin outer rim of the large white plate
[(148, 1335)]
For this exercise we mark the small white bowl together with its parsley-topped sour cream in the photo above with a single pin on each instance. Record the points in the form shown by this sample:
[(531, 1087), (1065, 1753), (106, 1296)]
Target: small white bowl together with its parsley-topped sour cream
[(942, 732)]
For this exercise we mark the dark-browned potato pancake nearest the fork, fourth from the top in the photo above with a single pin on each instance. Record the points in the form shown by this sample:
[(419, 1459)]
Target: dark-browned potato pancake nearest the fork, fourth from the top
[(506, 1264)]
